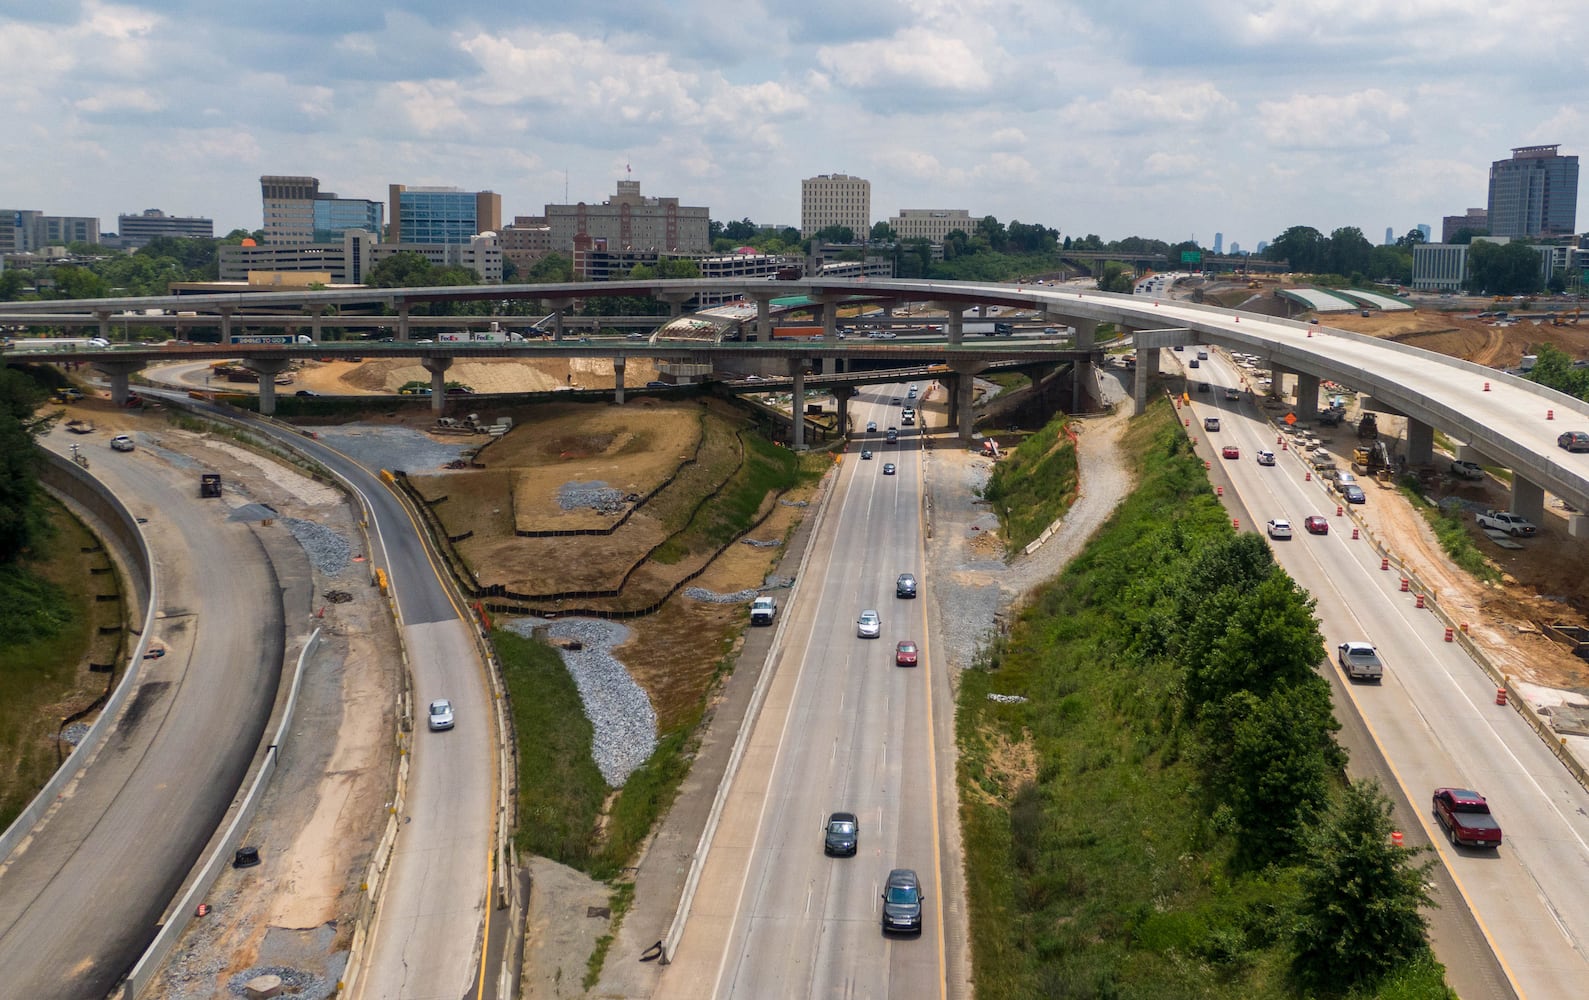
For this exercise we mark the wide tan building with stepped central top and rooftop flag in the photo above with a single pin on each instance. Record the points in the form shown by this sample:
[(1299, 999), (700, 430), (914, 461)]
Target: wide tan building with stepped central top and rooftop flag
[(625, 222)]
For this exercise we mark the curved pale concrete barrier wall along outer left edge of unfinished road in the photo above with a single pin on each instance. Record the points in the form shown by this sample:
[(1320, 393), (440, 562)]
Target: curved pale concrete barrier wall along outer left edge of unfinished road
[(69, 481)]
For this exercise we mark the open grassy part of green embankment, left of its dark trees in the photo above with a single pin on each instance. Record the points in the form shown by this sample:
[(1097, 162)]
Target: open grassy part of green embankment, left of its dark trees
[(1092, 869)]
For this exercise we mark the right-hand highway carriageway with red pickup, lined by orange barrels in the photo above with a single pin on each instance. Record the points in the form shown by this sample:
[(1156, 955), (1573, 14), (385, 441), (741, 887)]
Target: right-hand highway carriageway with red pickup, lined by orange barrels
[(1437, 723)]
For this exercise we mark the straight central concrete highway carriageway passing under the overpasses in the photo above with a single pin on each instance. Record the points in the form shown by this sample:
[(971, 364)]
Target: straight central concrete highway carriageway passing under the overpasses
[(843, 729)]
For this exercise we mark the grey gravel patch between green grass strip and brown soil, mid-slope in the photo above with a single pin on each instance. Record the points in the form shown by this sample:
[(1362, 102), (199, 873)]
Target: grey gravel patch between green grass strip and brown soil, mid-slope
[(621, 713)]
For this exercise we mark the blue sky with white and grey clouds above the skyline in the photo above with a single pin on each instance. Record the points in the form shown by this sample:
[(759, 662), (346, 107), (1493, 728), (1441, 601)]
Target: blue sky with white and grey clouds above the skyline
[(1159, 118)]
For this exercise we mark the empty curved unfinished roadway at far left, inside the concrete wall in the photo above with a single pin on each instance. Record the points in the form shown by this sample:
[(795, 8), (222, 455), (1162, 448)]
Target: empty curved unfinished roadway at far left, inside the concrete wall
[(80, 901)]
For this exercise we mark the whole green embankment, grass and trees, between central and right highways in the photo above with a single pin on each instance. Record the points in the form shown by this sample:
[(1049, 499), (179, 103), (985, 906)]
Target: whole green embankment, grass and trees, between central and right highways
[(1161, 810)]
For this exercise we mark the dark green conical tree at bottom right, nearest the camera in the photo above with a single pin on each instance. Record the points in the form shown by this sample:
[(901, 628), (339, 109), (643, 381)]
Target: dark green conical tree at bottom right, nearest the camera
[(1363, 897)]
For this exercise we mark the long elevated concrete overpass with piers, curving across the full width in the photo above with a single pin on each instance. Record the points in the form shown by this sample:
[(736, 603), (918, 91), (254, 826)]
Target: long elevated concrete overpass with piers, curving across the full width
[(1509, 421)]
